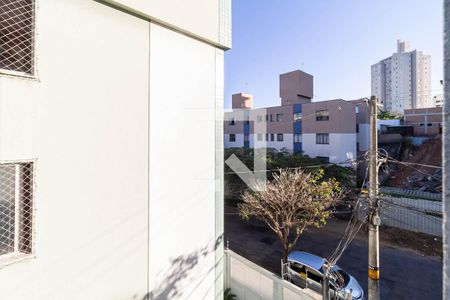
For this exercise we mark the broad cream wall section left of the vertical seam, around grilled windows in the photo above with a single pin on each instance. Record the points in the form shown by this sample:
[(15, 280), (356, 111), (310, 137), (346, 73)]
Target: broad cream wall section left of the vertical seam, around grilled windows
[(84, 120)]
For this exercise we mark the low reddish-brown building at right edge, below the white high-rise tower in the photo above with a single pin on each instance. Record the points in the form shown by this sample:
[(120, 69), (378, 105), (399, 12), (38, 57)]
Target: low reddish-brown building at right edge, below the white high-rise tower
[(425, 121)]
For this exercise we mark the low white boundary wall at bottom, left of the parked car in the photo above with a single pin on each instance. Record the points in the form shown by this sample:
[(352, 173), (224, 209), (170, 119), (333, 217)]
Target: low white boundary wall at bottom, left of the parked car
[(249, 281)]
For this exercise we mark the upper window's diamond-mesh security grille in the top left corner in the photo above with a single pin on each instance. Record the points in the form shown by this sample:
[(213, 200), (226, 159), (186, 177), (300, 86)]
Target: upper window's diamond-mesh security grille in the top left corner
[(17, 35)]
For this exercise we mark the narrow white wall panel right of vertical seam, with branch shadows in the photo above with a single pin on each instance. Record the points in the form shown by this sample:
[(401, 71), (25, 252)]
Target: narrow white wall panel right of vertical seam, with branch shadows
[(182, 187)]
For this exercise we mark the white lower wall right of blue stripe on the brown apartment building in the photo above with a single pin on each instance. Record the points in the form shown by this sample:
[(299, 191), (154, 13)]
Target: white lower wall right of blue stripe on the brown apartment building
[(341, 147)]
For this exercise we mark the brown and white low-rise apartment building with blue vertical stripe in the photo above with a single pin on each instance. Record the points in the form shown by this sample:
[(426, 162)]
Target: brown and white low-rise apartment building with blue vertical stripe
[(335, 130)]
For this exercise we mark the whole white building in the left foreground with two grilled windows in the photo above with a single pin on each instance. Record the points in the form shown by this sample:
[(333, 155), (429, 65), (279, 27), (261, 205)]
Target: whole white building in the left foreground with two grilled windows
[(96, 201)]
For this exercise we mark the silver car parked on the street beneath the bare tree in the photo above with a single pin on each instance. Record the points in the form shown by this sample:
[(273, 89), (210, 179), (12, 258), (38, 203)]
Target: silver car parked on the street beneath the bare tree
[(306, 269)]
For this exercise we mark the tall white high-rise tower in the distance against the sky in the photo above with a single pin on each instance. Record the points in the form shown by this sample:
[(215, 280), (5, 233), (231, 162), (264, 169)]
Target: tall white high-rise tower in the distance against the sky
[(403, 81)]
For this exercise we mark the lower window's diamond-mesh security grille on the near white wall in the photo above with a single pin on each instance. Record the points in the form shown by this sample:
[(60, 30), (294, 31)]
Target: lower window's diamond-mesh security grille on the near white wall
[(16, 208)]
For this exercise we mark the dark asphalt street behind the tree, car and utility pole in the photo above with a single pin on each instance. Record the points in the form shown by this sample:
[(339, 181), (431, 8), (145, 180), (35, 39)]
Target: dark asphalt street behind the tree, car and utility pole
[(405, 274)]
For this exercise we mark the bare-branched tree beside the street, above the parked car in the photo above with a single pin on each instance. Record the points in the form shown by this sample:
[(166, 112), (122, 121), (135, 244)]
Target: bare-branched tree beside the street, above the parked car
[(292, 201)]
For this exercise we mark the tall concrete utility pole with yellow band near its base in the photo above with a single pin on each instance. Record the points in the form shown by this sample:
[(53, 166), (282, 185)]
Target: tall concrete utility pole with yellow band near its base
[(374, 218)]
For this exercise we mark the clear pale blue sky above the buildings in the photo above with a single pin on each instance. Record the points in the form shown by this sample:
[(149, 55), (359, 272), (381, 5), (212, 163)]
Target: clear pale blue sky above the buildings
[(334, 40)]
